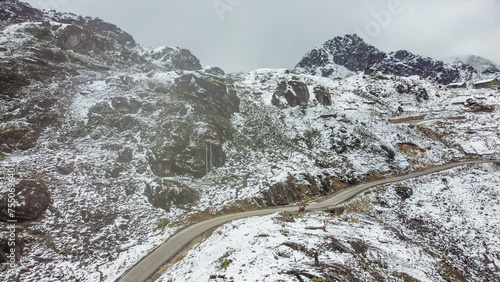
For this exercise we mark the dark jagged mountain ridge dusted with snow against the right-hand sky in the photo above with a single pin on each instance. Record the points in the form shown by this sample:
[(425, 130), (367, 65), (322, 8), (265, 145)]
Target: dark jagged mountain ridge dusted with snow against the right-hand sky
[(341, 56)]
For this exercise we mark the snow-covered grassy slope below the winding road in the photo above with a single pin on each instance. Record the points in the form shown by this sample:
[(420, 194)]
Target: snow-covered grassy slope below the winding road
[(441, 227)]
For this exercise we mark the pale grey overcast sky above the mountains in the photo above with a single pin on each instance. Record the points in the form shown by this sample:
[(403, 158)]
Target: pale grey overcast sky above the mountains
[(242, 35)]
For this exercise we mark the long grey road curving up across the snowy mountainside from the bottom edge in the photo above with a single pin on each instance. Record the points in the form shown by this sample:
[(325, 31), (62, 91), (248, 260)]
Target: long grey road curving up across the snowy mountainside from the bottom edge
[(161, 255)]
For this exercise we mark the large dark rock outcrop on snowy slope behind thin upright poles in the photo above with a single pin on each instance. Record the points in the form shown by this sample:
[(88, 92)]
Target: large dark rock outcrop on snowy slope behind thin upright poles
[(183, 143)]
